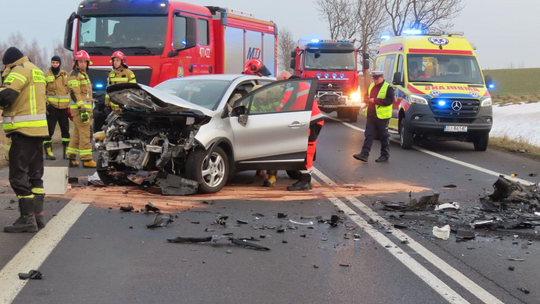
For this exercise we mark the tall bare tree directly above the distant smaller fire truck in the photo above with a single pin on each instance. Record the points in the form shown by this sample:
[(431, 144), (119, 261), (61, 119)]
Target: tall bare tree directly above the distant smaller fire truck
[(340, 16)]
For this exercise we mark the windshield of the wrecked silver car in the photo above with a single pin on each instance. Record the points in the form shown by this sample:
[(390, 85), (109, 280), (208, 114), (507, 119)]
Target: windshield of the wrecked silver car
[(204, 93)]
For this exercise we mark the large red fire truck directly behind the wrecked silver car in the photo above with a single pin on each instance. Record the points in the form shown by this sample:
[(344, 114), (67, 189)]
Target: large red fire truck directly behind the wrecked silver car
[(166, 39)]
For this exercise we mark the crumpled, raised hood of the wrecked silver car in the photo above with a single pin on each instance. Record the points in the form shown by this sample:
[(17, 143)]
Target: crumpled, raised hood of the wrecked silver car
[(144, 97)]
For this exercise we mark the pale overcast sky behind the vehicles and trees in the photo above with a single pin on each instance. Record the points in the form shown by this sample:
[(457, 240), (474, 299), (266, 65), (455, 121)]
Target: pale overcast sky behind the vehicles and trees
[(504, 31)]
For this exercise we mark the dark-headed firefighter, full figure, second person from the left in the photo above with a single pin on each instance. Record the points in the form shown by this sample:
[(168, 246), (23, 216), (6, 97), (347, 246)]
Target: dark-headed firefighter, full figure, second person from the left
[(57, 106)]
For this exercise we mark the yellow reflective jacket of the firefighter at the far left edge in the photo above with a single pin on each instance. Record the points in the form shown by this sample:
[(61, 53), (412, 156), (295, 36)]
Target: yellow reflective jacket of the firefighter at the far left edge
[(22, 94)]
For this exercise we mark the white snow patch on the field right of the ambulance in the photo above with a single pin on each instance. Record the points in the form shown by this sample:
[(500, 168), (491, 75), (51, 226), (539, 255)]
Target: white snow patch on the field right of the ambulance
[(521, 121)]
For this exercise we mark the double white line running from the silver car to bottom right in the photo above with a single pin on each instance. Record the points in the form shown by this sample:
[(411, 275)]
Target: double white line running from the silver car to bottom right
[(424, 274)]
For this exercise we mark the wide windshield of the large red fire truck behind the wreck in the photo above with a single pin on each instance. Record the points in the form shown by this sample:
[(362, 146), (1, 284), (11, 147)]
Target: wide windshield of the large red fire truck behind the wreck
[(104, 35)]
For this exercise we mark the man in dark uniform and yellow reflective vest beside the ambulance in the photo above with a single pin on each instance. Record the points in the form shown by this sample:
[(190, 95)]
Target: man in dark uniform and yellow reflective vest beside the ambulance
[(378, 113)]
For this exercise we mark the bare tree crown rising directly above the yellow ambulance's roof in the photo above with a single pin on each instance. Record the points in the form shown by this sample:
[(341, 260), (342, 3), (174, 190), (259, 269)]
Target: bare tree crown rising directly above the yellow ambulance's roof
[(436, 14)]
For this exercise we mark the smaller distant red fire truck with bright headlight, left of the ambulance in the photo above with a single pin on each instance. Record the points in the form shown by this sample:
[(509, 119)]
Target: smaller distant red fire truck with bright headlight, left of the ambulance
[(334, 62)]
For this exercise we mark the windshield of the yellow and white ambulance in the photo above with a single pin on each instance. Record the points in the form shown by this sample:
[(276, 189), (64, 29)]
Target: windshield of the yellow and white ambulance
[(443, 68)]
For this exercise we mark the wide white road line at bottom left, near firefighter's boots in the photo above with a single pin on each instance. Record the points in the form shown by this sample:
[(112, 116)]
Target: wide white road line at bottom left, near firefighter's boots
[(34, 253)]
